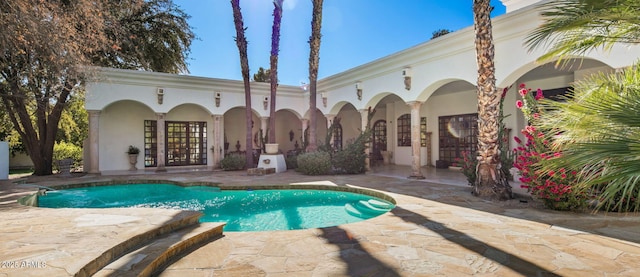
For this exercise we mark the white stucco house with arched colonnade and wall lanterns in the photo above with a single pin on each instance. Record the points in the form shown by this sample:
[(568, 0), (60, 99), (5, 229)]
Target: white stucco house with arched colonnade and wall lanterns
[(424, 97)]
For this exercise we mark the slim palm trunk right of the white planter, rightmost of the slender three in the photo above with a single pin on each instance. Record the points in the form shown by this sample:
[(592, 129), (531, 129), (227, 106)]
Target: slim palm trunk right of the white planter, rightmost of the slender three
[(314, 57)]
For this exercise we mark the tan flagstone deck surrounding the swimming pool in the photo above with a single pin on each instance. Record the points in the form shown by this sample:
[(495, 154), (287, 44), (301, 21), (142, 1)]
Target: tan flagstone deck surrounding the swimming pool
[(437, 228)]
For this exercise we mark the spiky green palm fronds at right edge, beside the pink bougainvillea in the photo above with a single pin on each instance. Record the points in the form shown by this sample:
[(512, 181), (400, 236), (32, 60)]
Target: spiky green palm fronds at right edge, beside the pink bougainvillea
[(597, 129)]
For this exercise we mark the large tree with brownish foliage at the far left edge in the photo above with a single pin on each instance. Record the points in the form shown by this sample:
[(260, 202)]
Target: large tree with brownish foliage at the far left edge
[(44, 62)]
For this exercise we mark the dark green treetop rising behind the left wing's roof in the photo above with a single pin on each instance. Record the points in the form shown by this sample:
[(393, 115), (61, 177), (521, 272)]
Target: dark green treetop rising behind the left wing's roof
[(148, 35)]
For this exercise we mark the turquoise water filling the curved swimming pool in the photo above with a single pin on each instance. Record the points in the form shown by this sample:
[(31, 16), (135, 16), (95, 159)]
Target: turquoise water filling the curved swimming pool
[(242, 210)]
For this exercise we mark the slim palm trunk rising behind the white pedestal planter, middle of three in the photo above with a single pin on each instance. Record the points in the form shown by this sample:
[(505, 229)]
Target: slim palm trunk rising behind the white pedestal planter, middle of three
[(273, 75)]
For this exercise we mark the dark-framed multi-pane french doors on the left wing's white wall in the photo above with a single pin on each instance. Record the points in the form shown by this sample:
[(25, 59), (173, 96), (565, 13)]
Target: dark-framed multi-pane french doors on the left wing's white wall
[(186, 143)]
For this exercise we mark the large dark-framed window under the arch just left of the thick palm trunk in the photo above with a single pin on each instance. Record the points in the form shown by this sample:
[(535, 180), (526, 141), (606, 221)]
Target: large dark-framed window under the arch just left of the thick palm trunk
[(457, 134)]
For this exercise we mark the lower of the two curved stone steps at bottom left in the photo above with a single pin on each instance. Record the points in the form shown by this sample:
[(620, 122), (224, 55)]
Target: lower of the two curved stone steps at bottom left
[(154, 256)]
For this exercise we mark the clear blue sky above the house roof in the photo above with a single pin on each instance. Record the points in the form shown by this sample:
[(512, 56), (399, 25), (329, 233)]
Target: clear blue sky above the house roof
[(354, 32)]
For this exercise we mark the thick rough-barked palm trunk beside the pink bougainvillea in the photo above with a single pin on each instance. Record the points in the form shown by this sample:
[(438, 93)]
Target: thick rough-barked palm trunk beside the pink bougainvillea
[(491, 181)]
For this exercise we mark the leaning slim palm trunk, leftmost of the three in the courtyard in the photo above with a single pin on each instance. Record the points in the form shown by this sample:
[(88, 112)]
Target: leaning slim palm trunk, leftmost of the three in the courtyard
[(241, 41)]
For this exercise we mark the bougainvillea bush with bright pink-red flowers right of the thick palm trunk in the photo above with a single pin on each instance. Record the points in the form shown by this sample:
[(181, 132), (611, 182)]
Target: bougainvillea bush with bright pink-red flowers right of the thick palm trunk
[(555, 187)]
